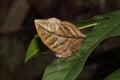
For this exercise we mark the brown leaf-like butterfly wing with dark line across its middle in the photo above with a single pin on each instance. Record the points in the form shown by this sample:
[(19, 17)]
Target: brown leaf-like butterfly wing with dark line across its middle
[(60, 36)]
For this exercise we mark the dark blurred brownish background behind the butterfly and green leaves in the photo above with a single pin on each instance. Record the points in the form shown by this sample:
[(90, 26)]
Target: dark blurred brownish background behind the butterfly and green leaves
[(17, 29)]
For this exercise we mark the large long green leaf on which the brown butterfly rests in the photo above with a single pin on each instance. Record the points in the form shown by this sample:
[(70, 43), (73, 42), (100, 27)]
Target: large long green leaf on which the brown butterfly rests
[(72, 66)]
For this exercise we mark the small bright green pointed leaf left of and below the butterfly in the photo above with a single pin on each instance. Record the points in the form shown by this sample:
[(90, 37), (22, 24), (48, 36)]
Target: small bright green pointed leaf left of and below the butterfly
[(34, 48)]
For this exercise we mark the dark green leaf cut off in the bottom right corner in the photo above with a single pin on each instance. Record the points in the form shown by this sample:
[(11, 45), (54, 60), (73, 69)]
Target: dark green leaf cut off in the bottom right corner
[(114, 76)]
